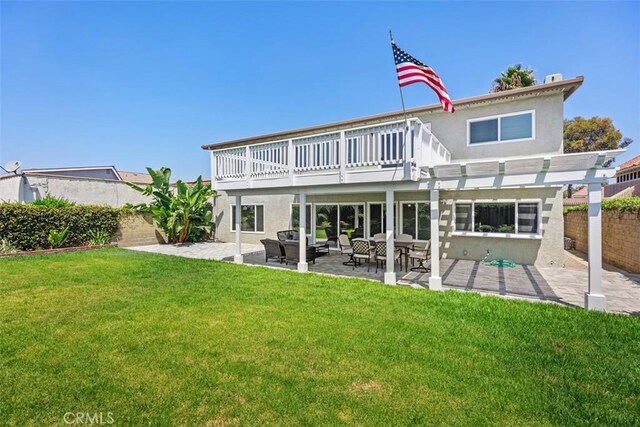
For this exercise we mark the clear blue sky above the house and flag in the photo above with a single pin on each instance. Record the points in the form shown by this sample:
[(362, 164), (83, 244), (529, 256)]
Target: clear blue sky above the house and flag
[(138, 84)]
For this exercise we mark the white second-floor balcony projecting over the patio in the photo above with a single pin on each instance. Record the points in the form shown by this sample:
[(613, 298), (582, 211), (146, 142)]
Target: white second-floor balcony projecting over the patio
[(391, 151)]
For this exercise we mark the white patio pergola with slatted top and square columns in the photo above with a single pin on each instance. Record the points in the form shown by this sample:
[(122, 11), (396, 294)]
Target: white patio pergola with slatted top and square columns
[(513, 172)]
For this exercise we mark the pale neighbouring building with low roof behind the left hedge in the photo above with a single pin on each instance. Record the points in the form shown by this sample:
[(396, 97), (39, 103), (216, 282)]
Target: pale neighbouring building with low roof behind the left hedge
[(95, 185)]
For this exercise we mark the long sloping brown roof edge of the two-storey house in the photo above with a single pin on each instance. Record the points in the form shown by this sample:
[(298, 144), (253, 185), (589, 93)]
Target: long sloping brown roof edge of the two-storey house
[(567, 86)]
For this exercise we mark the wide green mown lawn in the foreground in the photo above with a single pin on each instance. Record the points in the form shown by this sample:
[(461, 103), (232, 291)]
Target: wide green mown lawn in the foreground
[(162, 340)]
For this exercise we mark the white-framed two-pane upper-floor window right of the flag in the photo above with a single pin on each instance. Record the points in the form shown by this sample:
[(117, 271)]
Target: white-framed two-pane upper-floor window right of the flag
[(506, 127)]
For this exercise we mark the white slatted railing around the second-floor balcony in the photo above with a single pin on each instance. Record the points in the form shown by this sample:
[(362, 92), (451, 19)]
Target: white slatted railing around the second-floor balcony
[(366, 148)]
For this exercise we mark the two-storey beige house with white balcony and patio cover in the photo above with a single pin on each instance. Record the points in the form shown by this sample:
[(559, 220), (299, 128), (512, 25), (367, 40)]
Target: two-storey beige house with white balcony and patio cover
[(487, 178)]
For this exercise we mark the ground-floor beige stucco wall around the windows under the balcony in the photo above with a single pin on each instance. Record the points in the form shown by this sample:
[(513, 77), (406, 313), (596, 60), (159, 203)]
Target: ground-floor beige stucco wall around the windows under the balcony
[(548, 251)]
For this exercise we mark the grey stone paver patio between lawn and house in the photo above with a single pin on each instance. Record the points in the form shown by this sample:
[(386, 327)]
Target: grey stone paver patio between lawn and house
[(562, 285)]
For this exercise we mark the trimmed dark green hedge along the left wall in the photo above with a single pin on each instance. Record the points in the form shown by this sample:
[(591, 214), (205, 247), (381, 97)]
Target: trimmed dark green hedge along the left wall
[(27, 226)]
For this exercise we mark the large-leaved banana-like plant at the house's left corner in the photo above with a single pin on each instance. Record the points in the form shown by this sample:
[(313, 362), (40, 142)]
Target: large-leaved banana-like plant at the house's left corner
[(184, 212)]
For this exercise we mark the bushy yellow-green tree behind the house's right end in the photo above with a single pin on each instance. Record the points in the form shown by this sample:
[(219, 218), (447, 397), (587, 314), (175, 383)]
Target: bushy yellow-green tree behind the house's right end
[(595, 134)]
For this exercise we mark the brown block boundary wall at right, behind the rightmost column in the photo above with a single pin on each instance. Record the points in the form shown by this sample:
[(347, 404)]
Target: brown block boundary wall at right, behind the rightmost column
[(620, 237)]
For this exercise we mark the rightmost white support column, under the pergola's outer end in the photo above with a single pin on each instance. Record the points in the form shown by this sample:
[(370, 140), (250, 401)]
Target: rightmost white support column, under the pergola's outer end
[(594, 299)]
